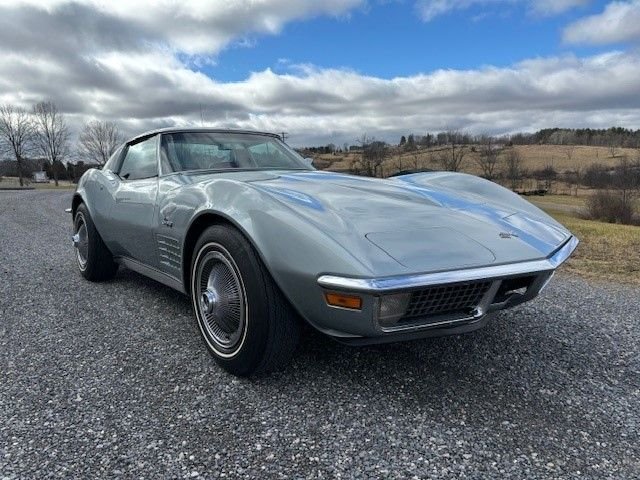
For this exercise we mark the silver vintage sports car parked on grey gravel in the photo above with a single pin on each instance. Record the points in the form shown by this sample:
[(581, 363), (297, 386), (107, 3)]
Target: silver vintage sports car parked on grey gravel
[(259, 240)]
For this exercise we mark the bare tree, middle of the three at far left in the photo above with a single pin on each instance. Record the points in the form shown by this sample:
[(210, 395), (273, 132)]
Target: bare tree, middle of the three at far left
[(51, 135)]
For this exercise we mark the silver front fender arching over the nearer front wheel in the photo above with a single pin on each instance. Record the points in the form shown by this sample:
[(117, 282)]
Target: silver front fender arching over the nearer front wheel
[(294, 251)]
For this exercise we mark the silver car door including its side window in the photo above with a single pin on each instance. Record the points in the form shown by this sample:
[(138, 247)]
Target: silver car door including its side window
[(134, 209)]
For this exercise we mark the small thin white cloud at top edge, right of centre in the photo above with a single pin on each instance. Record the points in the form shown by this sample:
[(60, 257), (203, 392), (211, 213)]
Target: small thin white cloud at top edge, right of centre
[(429, 9)]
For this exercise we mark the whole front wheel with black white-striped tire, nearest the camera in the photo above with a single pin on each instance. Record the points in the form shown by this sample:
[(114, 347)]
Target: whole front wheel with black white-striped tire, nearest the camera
[(247, 324)]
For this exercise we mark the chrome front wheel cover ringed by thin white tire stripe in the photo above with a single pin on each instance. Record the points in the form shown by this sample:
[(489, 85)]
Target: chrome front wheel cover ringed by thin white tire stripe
[(220, 299)]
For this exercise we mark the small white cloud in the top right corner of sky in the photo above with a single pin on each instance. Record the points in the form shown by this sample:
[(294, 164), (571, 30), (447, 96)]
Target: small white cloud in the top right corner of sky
[(619, 22)]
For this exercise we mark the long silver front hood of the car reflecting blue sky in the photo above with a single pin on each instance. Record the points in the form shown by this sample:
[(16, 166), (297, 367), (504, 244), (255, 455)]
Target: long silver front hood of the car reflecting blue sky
[(422, 228)]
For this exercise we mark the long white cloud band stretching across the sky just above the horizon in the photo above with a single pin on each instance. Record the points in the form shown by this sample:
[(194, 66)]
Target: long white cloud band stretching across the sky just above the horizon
[(154, 89)]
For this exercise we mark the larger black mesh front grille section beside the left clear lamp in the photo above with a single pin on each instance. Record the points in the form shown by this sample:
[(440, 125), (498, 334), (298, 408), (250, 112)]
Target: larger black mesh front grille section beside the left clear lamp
[(459, 298)]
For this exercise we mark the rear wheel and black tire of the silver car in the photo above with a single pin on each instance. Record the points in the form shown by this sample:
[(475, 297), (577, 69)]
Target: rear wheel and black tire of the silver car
[(94, 259)]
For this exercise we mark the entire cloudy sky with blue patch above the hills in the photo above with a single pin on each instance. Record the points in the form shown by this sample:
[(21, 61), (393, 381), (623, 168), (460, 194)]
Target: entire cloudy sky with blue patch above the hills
[(330, 70)]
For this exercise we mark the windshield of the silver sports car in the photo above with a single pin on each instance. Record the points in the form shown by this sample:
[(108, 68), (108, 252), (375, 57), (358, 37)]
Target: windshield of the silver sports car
[(185, 151)]
